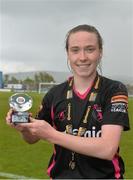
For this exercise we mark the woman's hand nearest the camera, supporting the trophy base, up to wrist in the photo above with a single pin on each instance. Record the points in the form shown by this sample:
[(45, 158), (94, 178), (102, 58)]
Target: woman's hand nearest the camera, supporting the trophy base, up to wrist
[(38, 128)]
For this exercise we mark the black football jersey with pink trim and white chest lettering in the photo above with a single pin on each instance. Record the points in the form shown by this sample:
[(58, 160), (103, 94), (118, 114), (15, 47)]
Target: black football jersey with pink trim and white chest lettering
[(110, 107)]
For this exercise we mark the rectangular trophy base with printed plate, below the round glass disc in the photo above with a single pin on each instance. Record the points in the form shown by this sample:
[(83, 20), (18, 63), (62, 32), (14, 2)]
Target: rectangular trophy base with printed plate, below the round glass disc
[(20, 117)]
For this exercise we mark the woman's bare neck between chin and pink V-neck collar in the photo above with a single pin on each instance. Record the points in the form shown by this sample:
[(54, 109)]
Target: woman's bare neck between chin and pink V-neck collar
[(82, 84)]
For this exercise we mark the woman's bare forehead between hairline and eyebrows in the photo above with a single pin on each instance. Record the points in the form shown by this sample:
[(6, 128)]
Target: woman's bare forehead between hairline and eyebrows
[(82, 37)]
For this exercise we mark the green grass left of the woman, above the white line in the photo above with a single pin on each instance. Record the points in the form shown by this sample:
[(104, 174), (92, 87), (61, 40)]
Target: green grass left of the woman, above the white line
[(16, 156)]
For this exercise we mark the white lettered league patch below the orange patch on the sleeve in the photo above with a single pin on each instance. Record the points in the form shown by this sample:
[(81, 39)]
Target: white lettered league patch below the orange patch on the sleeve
[(119, 107)]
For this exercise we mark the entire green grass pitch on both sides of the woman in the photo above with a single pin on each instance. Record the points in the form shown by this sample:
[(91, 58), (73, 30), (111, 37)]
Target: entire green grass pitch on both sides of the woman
[(18, 157)]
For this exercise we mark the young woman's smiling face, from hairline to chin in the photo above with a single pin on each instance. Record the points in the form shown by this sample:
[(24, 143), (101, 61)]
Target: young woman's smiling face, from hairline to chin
[(83, 53)]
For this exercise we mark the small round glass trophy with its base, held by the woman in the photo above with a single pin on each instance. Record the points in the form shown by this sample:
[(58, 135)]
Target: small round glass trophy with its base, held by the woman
[(21, 103)]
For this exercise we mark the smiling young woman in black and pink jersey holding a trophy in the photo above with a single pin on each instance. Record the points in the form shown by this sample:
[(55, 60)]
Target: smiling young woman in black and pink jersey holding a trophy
[(83, 117)]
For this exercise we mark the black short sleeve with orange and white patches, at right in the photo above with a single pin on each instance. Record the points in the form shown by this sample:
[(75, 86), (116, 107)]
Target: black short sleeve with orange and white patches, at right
[(116, 106)]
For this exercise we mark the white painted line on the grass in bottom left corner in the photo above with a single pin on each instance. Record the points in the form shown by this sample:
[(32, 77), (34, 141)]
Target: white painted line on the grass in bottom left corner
[(14, 176)]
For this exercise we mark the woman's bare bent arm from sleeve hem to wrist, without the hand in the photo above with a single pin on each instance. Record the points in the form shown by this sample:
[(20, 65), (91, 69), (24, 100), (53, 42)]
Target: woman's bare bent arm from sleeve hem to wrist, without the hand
[(103, 147)]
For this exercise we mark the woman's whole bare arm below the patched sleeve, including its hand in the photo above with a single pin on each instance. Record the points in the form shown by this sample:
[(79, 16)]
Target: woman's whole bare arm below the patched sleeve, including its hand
[(103, 147)]
